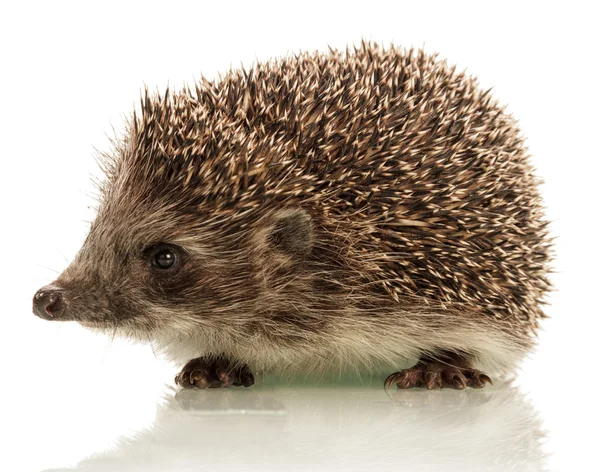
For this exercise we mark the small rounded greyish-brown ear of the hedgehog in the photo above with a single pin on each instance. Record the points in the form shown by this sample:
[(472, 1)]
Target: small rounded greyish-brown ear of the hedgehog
[(291, 232)]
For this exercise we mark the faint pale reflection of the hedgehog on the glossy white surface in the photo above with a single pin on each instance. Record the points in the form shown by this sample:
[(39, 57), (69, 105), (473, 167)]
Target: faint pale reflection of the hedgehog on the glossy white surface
[(324, 428)]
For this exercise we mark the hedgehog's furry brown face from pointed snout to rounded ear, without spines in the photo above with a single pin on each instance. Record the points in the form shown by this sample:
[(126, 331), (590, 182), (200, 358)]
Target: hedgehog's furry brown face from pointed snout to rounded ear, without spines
[(169, 270)]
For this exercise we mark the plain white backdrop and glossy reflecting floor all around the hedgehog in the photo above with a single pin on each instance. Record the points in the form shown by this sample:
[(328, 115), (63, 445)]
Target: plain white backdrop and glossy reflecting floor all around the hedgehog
[(69, 399)]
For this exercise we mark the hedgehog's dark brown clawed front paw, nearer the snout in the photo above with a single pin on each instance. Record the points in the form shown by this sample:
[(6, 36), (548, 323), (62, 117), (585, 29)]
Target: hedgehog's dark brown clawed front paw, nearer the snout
[(213, 372)]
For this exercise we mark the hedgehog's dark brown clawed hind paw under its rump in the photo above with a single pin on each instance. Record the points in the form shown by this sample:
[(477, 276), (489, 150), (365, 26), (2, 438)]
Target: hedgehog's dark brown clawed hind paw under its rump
[(445, 370)]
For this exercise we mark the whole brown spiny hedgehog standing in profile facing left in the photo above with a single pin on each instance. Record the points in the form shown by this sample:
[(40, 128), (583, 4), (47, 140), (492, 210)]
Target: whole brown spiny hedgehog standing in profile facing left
[(367, 210)]
